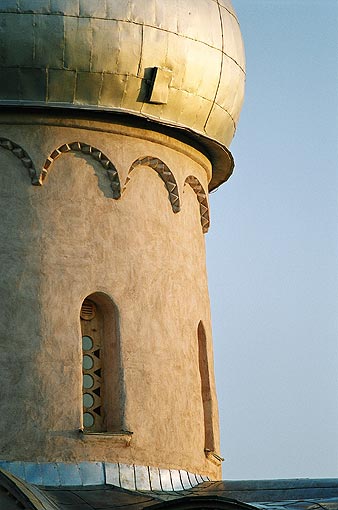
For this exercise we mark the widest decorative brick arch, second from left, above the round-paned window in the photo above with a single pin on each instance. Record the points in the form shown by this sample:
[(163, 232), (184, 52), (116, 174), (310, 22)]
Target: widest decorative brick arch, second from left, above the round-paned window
[(86, 150)]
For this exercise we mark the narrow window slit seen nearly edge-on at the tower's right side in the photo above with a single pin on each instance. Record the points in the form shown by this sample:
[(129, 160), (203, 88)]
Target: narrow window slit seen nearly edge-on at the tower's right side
[(209, 440)]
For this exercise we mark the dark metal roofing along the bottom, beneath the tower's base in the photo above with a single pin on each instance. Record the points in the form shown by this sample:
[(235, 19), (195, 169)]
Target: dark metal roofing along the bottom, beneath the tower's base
[(294, 494)]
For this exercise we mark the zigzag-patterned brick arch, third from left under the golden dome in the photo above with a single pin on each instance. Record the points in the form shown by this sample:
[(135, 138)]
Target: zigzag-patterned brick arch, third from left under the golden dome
[(166, 175)]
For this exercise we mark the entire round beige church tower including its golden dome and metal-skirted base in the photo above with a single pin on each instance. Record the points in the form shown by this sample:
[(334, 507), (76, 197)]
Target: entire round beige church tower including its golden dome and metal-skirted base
[(115, 122)]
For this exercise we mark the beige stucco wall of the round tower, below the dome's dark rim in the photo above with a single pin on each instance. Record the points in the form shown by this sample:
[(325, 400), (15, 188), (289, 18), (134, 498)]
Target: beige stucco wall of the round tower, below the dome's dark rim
[(64, 240)]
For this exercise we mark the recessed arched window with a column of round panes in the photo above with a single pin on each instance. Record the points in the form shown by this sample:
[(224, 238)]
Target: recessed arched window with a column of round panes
[(102, 381)]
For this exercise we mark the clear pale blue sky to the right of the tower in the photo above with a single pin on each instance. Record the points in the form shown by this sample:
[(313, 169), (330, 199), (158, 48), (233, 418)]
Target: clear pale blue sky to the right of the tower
[(273, 249)]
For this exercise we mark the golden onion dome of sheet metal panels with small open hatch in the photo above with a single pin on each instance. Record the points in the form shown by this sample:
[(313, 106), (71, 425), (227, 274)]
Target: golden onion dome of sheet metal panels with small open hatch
[(173, 62)]
